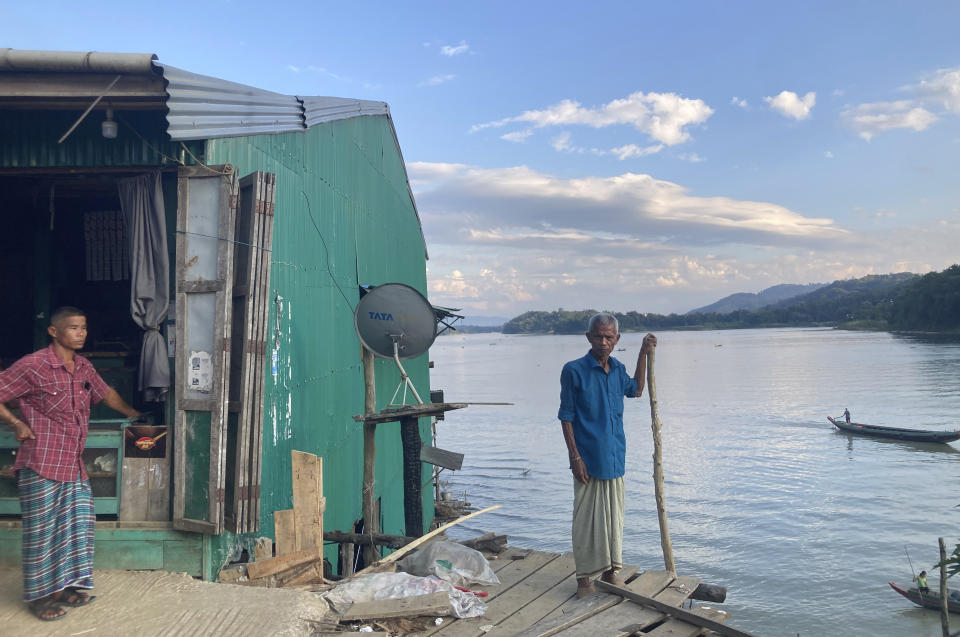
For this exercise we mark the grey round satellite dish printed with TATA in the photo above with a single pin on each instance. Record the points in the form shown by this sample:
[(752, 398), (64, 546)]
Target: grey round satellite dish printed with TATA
[(394, 320)]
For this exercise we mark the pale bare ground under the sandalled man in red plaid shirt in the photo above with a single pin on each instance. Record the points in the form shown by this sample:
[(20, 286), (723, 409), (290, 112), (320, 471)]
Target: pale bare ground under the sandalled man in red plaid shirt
[(148, 603)]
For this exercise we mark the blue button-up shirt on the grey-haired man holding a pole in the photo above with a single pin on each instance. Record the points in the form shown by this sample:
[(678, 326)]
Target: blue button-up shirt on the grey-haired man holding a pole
[(592, 400)]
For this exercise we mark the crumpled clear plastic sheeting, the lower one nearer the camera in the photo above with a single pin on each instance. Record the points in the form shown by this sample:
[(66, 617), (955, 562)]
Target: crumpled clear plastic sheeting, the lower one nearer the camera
[(378, 586)]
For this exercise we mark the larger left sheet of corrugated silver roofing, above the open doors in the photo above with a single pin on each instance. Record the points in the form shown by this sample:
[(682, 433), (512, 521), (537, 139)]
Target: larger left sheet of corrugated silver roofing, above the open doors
[(204, 107)]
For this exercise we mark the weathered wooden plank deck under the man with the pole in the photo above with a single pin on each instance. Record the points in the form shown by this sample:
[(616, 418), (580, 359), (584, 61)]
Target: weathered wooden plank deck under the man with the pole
[(536, 597)]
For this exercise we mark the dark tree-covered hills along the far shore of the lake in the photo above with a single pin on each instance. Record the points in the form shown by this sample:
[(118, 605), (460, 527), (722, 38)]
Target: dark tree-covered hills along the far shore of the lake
[(899, 302)]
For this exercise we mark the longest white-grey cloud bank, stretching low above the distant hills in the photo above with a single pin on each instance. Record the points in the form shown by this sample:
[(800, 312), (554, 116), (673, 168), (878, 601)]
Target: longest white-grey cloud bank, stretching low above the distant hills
[(629, 207)]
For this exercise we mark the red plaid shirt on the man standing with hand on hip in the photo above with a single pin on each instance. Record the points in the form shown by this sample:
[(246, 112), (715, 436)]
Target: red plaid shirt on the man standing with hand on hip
[(56, 405)]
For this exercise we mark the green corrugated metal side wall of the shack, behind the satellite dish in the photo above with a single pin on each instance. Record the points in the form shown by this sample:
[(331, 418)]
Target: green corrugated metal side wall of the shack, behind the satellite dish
[(343, 217)]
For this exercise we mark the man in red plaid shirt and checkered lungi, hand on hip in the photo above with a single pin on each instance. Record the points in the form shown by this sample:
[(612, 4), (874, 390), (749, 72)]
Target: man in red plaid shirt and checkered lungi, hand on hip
[(55, 387)]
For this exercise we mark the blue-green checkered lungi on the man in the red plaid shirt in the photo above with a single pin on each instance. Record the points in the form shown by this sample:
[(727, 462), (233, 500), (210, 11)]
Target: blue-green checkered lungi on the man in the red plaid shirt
[(57, 534)]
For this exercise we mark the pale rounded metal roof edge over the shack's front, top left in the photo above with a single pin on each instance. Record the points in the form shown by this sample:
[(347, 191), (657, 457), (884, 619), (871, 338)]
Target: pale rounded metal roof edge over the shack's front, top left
[(75, 61)]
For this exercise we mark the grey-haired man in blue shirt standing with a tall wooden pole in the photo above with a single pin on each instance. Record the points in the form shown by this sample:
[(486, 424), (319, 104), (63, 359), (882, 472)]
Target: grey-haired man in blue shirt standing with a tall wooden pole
[(592, 389)]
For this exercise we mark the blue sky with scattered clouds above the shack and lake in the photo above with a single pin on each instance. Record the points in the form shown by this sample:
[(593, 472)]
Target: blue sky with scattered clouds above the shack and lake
[(610, 155)]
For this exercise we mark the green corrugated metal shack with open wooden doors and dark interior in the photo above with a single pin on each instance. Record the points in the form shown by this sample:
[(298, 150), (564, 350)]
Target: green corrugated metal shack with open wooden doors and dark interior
[(270, 211)]
